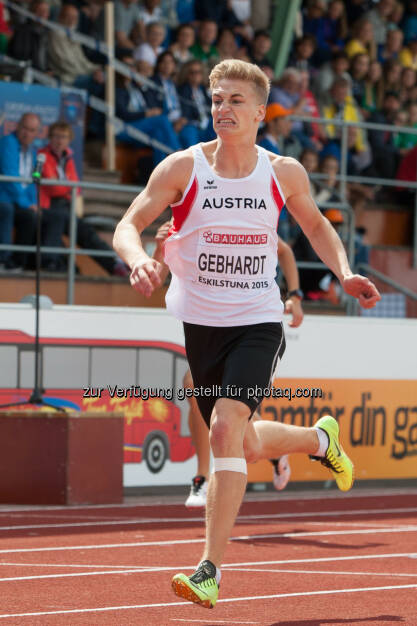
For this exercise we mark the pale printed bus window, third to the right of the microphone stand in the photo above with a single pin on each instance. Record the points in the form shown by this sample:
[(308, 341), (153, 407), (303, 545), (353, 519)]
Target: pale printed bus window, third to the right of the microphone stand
[(155, 368)]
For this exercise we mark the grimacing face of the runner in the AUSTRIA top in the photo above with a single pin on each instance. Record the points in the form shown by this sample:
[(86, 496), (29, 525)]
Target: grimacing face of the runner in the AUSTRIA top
[(236, 107)]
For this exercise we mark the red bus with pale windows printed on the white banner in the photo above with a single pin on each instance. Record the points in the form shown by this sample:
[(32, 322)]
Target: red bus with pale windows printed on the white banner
[(107, 374)]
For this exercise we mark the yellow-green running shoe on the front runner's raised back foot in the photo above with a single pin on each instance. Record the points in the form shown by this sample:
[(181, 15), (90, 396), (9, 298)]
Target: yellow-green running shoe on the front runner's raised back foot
[(336, 459)]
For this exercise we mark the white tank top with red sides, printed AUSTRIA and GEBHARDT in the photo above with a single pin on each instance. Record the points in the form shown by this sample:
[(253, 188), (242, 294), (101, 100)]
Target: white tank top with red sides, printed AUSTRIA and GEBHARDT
[(222, 251)]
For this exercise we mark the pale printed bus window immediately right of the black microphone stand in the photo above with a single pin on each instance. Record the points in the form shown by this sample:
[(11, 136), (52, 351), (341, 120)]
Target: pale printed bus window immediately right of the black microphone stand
[(65, 367)]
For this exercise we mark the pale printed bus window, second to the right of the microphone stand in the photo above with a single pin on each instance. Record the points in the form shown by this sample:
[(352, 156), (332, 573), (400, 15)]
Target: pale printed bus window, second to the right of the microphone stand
[(104, 370)]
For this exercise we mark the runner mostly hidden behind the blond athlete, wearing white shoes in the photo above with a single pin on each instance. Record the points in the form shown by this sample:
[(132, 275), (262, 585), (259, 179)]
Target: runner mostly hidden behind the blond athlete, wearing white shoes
[(198, 428)]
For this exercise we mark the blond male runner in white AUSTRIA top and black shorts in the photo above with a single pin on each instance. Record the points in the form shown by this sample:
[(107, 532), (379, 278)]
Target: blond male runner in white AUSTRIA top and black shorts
[(226, 196)]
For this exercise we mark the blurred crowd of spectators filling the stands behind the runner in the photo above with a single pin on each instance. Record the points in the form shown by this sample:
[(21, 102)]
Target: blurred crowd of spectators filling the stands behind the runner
[(352, 60)]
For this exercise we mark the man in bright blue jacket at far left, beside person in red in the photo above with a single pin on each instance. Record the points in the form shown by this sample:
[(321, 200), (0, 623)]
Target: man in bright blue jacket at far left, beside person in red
[(18, 200)]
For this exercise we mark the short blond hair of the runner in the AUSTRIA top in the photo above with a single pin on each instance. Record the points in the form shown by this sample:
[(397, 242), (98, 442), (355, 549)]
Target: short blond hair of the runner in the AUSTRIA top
[(234, 69)]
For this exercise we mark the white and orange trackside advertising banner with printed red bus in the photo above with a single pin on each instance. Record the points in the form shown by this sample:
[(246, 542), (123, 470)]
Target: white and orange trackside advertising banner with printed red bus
[(361, 371)]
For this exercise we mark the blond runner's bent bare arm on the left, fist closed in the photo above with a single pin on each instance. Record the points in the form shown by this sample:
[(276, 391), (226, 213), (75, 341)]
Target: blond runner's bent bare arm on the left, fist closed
[(165, 187)]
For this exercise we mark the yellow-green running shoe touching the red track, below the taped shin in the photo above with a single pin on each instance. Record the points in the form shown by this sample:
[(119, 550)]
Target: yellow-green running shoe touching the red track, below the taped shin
[(200, 588)]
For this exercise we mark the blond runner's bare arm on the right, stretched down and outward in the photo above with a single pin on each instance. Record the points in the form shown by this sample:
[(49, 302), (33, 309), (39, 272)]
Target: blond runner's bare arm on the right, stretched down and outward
[(320, 232)]
